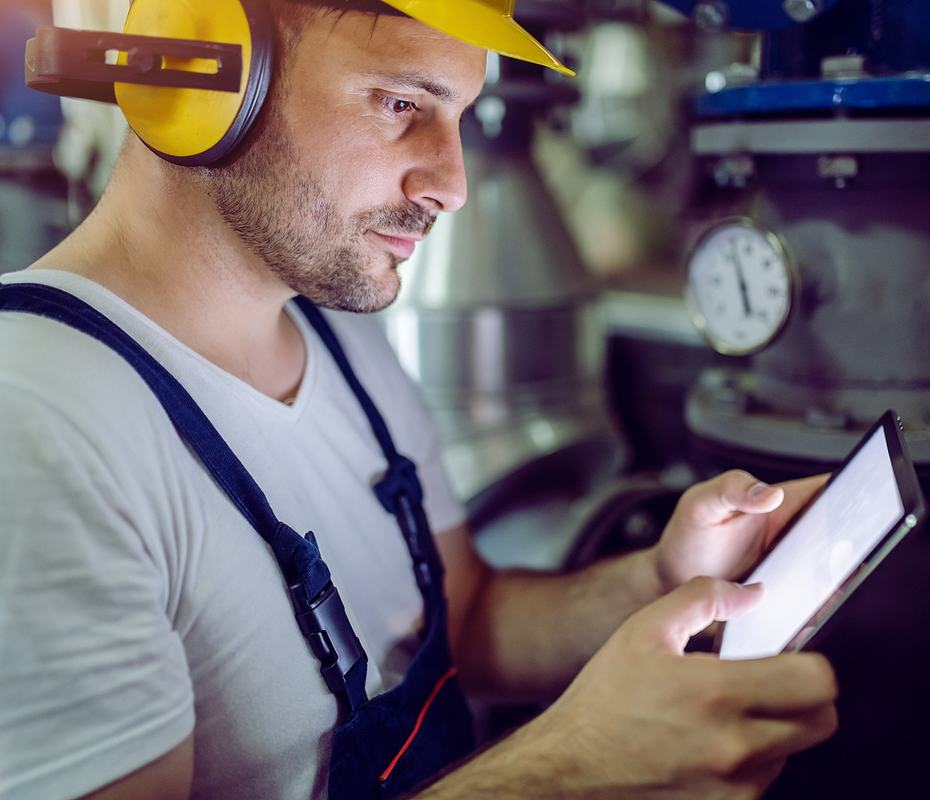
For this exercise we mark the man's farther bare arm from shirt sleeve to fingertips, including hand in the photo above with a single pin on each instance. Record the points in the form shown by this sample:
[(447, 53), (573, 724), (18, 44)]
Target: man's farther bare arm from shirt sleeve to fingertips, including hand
[(505, 645)]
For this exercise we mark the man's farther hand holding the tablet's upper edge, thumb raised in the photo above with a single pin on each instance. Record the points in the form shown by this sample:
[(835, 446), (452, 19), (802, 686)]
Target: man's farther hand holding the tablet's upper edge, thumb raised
[(722, 527)]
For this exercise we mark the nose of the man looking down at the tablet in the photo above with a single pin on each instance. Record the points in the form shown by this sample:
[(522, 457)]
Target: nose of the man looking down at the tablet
[(436, 179)]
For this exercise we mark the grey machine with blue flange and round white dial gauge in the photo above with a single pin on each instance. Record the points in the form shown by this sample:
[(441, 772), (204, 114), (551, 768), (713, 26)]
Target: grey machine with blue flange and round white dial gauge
[(822, 160)]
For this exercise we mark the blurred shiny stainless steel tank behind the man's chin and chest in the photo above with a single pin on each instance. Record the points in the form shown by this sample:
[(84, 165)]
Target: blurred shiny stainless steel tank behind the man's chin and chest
[(498, 321)]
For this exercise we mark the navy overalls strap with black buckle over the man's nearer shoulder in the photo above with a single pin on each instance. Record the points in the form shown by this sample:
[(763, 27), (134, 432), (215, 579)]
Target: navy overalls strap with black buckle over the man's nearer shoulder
[(317, 605)]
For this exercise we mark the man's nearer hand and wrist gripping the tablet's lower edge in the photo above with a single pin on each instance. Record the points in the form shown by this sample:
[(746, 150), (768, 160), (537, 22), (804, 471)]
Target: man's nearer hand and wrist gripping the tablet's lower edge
[(643, 720)]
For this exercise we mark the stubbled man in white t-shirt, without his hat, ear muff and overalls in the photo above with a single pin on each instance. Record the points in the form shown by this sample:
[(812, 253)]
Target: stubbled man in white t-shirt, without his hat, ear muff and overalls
[(149, 649)]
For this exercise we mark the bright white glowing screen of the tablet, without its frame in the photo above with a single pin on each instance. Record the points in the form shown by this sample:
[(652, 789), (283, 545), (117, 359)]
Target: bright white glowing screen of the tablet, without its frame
[(825, 545)]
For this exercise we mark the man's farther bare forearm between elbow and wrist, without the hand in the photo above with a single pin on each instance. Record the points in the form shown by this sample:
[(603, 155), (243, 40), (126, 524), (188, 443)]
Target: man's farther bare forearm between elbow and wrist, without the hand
[(529, 633)]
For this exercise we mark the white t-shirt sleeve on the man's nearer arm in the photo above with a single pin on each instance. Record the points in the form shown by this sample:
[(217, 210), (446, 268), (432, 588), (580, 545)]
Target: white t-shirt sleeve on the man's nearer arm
[(94, 681)]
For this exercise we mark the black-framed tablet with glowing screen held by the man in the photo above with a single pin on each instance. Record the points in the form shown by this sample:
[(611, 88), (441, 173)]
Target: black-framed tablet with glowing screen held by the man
[(868, 506)]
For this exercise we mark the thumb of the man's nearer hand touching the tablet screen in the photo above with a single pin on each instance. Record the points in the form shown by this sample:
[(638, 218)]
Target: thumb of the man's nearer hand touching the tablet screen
[(671, 621)]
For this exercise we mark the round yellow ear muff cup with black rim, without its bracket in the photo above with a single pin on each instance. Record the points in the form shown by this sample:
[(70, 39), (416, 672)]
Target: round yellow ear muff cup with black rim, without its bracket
[(197, 127)]
